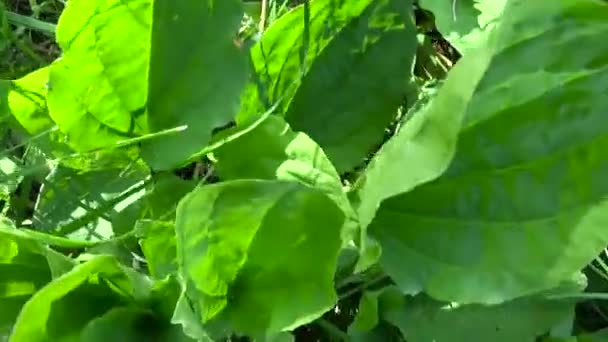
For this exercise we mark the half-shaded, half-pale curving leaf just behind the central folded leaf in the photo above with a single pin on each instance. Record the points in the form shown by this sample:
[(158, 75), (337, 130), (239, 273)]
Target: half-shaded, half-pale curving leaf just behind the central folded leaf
[(274, 151)]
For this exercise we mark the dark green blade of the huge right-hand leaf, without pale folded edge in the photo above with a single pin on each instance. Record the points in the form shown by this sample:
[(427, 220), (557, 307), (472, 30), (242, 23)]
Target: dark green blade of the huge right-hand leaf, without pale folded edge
[(528, 175)]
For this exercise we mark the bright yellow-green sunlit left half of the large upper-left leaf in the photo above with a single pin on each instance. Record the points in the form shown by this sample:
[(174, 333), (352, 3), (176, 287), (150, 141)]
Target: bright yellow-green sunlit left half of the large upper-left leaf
[(98, 88)]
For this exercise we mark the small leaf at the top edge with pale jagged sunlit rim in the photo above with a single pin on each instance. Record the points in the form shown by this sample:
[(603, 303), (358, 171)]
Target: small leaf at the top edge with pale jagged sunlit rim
[(465, 23)]
